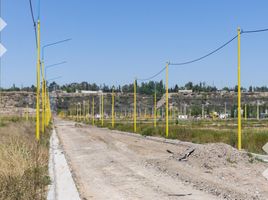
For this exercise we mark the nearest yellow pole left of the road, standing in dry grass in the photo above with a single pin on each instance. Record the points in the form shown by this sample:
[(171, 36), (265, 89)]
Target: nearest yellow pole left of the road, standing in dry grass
[(38, 83)]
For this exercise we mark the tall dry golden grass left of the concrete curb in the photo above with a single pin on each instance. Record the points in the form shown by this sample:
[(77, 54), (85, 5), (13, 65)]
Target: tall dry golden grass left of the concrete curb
[(23, 171)]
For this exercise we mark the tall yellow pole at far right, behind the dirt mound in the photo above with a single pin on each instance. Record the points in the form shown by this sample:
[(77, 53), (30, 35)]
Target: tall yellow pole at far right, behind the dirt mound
[(239, 93)]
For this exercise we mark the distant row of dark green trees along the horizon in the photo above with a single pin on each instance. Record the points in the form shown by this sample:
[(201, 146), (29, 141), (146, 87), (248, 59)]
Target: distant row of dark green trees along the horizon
[(142, 88)]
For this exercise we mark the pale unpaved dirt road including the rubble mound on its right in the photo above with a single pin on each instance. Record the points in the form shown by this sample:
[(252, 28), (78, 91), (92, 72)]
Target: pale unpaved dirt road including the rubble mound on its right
[(112, 165)]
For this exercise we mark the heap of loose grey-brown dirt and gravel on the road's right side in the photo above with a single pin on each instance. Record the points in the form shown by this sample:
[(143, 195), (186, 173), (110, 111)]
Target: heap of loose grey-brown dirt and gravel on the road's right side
[(220, 169)]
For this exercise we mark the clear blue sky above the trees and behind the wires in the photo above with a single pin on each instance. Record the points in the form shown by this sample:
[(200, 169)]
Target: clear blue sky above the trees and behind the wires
[(115, 41)]
